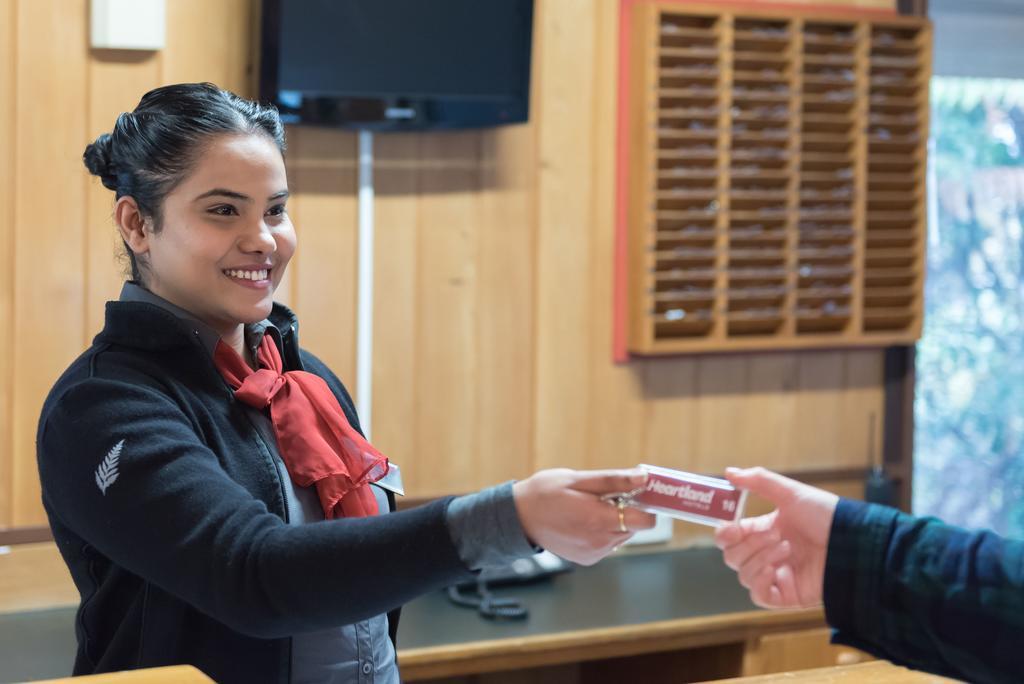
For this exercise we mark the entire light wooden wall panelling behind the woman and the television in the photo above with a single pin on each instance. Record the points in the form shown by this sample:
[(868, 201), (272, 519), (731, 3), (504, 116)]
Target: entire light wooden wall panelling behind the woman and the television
[(495, 250)]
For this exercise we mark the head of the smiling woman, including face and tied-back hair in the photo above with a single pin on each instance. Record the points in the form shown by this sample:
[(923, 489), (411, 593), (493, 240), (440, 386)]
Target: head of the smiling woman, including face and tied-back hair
[(201, 203)]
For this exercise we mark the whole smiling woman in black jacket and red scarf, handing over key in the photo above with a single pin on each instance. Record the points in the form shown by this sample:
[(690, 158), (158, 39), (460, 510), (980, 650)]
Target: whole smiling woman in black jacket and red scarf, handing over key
[(186, 455)]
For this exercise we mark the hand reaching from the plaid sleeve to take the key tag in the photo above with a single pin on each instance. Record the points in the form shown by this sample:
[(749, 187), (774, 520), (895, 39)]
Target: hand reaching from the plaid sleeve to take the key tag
[(781, 558)]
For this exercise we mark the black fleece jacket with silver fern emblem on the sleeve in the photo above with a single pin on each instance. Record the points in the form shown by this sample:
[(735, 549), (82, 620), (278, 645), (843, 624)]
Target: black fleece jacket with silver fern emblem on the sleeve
[(168, 509)]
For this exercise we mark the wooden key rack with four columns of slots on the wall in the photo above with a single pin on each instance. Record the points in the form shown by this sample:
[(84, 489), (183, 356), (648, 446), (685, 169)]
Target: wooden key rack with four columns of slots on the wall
[(777, 180)]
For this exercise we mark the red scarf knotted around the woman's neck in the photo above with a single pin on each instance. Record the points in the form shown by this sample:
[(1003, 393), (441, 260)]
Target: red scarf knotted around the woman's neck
[(317, 444)]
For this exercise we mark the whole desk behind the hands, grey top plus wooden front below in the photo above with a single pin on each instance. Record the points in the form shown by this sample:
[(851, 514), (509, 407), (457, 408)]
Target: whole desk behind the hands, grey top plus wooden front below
[(674, 616)]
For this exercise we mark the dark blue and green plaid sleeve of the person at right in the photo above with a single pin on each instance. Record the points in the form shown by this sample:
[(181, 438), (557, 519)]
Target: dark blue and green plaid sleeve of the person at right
[(925, 594)]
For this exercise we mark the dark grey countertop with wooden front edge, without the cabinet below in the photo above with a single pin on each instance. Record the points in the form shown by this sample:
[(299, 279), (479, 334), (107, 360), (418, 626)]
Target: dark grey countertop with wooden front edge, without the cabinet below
[(625, 606)]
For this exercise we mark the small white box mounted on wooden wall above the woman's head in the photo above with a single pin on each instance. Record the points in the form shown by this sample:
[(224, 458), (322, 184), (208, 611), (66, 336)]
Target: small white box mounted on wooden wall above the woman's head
[(129, 25)]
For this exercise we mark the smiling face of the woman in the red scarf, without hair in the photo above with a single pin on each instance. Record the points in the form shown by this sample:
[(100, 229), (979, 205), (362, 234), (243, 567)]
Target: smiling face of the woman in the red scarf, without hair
[(224, 228)]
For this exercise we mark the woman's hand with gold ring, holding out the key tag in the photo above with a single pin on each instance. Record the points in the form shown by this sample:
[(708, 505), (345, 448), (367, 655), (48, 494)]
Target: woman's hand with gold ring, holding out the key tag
[(563, 511)]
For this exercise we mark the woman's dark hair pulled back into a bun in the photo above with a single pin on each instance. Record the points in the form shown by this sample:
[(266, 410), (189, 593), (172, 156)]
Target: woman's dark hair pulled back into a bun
[(153, 149)]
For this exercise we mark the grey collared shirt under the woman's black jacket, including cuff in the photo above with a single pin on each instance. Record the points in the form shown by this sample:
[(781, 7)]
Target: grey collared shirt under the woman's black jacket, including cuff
[(485, 528)]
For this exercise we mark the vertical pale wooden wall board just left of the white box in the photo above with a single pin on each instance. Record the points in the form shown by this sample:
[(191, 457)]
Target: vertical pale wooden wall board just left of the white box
[(50, 250)]
